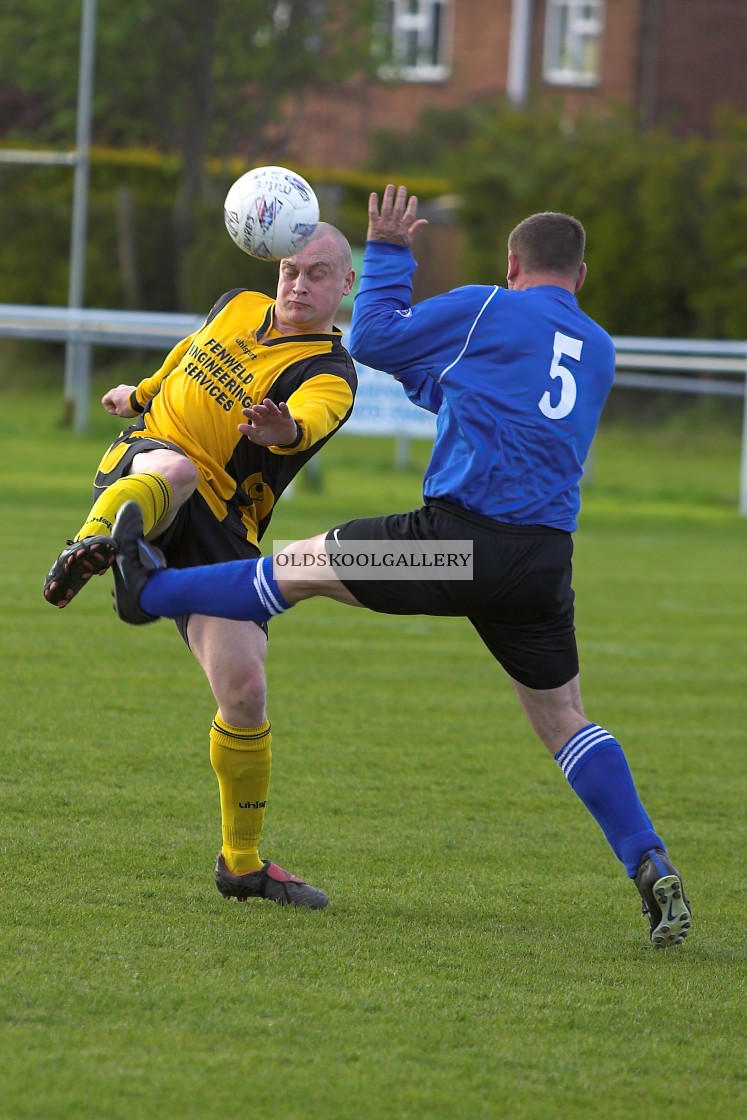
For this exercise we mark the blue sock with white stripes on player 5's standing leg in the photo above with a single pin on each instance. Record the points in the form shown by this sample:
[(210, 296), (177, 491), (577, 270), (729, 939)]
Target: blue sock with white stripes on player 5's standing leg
[(594, 763)]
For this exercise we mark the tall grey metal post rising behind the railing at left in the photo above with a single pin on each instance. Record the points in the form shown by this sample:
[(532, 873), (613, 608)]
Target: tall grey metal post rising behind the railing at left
[(78, 354)]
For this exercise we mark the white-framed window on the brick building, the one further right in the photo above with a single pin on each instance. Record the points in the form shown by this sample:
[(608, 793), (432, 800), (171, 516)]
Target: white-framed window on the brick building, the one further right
[(573, 42)]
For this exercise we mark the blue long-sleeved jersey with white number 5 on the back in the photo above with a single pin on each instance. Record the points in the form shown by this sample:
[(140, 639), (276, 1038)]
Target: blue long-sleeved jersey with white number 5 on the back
[(518, 381)]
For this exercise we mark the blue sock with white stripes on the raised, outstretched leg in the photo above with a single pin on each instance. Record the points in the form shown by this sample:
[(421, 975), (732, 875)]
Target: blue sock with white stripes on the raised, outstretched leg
[(244, 590)]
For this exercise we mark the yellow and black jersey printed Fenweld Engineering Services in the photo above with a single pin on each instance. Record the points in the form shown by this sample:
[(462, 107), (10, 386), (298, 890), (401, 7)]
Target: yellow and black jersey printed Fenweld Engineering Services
[(236, 360)]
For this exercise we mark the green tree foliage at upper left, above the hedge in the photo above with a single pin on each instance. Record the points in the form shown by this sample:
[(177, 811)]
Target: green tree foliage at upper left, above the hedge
[(200, 78)]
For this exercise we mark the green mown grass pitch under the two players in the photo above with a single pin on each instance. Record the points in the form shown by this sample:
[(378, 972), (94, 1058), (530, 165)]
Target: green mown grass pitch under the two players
[(483, 955)]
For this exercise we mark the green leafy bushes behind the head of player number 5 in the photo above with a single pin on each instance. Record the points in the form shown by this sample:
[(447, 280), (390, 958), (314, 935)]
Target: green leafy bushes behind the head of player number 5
[(666, 219)]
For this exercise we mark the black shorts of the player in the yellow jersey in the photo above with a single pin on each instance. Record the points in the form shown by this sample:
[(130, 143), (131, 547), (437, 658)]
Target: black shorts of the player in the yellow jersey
[(195, 537)]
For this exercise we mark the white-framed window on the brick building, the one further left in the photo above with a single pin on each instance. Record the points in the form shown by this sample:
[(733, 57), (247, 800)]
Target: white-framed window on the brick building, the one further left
[(415, 41)]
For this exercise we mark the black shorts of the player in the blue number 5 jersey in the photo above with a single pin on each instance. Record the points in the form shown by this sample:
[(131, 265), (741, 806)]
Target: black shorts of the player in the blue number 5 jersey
[(520, 600)]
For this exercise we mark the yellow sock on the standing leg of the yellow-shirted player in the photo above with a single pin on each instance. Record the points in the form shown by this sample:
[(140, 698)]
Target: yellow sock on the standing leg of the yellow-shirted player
[(242, 761)]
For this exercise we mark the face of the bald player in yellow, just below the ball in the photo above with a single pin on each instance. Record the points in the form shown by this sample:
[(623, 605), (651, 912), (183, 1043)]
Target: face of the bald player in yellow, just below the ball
[(311, 287)]
